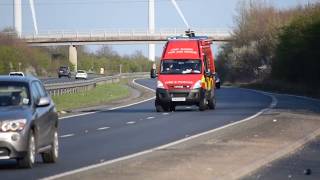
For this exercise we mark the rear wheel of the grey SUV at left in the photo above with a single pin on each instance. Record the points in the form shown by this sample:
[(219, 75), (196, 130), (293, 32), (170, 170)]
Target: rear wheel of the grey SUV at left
[(52, 155)]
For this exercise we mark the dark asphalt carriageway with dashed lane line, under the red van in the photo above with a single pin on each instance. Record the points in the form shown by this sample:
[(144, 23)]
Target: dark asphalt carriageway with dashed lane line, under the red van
[(109, 134)]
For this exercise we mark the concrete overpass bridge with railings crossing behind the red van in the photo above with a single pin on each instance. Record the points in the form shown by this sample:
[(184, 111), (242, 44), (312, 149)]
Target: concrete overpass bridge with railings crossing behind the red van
[(120, 36)]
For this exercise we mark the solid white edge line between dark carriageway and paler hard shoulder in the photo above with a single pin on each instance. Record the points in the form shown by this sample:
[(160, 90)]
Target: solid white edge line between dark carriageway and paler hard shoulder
[(272, 105)]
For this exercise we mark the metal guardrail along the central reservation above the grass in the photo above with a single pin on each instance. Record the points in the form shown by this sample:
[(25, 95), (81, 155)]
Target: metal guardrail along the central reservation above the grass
[(57, 89)]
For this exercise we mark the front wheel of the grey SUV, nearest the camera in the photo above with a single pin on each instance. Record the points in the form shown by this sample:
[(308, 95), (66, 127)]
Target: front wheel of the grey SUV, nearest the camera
[(28, 160)]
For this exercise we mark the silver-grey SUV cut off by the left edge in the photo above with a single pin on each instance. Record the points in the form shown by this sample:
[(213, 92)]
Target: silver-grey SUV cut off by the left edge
[(28, 121)]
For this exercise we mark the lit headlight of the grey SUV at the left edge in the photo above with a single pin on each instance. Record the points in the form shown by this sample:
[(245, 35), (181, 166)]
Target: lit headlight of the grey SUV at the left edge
[(13, 125)]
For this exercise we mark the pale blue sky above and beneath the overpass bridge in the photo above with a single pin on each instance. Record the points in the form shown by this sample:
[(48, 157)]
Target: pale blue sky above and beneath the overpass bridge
[(90, 15)]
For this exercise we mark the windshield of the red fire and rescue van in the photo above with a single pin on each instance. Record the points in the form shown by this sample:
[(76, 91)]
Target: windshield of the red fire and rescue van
[(181, 66)]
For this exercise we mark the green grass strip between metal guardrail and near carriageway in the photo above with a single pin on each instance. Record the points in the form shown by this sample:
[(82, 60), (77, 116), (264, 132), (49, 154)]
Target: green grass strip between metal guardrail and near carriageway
[(100, 95)]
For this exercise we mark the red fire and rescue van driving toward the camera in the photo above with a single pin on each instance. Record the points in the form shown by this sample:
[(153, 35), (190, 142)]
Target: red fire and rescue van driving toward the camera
[(186, 74)]
